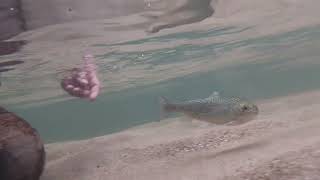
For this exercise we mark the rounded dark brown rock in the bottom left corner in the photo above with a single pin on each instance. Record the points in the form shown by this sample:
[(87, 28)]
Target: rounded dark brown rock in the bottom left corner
[(22, 154)]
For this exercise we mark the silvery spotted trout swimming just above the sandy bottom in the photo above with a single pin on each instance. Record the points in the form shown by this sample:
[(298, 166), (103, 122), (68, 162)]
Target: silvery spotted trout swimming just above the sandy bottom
[(214, 109)]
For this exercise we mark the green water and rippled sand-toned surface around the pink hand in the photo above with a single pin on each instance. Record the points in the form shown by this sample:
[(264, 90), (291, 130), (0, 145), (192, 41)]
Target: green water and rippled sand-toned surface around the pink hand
[(223, 54)]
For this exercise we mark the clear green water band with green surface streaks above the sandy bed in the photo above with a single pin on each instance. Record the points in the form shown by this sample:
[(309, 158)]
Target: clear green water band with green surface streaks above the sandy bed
[(280, 64)]
